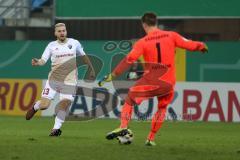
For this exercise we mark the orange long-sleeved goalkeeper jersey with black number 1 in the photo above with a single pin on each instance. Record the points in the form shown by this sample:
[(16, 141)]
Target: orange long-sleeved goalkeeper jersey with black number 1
[(159, 46)]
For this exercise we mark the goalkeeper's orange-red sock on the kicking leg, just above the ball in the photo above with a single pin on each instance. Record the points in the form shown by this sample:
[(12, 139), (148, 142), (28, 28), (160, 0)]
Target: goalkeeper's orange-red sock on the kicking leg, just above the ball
[(126, 115)]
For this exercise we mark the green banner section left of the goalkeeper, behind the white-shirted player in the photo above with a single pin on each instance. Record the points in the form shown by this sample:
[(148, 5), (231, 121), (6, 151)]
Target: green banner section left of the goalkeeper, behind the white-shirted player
[(15, 61)]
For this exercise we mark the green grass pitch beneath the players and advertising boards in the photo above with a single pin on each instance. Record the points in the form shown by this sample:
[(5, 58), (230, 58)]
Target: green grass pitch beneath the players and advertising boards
[(29, 140)]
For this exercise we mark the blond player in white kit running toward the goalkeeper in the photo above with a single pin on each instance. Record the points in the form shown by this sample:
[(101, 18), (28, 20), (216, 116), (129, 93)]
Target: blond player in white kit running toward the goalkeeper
[(63, 53)]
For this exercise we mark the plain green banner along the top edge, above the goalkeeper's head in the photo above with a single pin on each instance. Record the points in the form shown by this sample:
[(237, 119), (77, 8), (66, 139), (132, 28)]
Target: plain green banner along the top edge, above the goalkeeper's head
[(135, 8)]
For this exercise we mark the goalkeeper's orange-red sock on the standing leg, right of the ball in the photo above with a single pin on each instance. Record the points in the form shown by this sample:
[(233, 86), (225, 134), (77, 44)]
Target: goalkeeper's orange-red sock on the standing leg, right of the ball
[(157, 121)]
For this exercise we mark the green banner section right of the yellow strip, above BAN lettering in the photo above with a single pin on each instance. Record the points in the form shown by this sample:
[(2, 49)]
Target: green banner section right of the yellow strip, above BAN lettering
[(221, 64)]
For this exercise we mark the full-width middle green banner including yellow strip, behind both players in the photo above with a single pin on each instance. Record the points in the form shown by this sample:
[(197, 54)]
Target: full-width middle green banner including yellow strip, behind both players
[(221, 64)]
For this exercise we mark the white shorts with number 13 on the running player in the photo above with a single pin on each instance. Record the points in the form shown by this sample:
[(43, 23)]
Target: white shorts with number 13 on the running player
[(49, 92)]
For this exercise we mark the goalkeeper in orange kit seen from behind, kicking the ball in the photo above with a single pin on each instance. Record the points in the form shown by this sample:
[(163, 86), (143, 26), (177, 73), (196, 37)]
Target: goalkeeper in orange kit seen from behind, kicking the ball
[(158, 49)]
